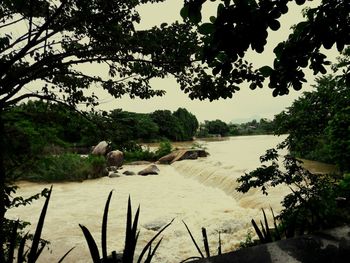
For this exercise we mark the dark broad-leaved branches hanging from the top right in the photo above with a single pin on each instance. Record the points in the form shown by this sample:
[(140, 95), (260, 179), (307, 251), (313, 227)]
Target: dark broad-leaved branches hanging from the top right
[(243, 25)]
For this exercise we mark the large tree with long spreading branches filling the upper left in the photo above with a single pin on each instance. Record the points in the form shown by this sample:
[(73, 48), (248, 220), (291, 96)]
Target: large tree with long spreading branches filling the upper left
[(45, 43)]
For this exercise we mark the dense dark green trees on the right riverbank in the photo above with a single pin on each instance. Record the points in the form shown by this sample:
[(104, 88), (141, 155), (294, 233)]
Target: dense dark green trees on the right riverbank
[(318, 123)]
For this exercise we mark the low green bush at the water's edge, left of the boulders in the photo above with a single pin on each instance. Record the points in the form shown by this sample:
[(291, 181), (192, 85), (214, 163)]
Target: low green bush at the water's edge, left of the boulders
[(65, 167)]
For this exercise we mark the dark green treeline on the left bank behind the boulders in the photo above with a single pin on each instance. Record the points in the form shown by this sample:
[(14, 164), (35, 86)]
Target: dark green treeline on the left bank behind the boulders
[(36, 126)]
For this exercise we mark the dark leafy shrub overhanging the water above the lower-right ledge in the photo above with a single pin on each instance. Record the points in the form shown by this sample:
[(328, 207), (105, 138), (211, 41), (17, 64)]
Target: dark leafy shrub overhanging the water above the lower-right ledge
[(310, 206)]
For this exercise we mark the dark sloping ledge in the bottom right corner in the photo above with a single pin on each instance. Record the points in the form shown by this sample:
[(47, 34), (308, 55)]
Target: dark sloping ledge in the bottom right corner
[(331, 246)]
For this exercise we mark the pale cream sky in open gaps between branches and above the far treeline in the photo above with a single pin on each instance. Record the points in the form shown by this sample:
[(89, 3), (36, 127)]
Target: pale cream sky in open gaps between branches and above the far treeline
[(245, 104)]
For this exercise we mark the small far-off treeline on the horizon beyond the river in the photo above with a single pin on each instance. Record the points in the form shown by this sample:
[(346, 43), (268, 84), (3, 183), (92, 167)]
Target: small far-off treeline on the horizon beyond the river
[(220, 128)]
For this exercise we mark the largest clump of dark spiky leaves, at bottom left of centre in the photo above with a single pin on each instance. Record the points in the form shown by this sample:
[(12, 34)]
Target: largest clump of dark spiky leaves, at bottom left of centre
[(131, 238)]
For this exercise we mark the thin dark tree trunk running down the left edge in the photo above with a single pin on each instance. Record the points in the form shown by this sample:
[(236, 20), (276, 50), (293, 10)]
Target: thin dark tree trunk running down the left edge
[(2, 187)]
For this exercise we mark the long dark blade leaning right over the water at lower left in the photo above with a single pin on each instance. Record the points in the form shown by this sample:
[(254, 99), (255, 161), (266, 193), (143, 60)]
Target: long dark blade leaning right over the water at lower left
[(36, 239)]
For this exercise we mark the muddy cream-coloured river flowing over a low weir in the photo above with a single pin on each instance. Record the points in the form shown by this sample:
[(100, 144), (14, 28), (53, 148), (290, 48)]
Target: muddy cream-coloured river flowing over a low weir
[(200, 192)]
